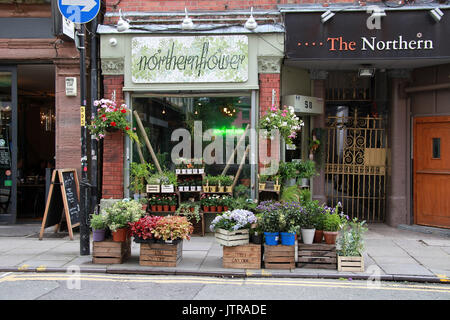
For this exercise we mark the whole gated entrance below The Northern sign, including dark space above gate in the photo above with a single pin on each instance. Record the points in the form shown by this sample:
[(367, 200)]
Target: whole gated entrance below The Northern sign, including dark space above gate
[(355, 165)]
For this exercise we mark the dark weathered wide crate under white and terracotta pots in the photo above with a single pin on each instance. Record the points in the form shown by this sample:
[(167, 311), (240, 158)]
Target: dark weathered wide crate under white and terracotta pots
[(317, 256)]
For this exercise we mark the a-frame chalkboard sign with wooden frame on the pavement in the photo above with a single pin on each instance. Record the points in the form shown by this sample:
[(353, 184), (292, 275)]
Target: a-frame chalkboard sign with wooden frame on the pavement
[(62, 201)]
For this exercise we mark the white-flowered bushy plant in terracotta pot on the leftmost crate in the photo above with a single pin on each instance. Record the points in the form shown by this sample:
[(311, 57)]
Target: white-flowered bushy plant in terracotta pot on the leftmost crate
[(120, 215)]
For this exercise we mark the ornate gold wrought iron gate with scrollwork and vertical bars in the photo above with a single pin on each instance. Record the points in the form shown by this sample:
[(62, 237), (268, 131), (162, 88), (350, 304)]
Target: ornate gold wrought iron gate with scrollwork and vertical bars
[(355, 168)]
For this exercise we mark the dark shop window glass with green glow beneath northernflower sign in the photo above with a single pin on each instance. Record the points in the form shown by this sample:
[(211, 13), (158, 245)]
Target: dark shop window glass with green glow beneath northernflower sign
[(226, 117)]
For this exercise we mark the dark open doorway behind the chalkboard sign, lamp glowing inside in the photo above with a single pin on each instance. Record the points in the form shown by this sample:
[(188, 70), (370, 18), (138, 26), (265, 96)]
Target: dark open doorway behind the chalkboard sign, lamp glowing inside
[(36, 137)]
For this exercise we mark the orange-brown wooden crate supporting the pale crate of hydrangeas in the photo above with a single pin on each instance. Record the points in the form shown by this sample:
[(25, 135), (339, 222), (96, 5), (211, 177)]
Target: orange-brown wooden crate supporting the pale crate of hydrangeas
[(242, 257)]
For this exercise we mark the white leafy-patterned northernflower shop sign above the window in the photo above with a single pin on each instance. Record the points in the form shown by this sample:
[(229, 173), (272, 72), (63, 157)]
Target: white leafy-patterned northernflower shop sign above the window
[(189, 59)]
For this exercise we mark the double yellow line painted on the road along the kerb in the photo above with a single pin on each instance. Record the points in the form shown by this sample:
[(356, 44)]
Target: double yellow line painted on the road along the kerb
[(317, 283)]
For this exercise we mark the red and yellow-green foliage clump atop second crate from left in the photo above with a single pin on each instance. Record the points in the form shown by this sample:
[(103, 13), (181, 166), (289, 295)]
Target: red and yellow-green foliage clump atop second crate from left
[(173, 228)]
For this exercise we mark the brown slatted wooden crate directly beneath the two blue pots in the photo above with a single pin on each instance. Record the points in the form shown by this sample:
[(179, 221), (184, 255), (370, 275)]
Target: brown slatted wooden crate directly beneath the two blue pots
[(279, 257)]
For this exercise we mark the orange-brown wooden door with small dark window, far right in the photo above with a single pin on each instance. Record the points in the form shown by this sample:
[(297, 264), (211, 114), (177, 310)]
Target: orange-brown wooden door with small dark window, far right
[(432, 171)]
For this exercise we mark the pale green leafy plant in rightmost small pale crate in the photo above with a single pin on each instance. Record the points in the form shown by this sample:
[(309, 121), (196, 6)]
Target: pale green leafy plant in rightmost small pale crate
[(351, 241)]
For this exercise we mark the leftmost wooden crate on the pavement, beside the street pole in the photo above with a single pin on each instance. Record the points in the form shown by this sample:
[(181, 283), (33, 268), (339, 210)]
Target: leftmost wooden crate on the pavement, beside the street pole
[(109, 252)]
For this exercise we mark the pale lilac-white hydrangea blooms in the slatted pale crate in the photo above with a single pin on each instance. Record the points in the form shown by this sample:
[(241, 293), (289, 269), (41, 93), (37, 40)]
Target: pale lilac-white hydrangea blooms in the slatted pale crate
[(233, 220)]
